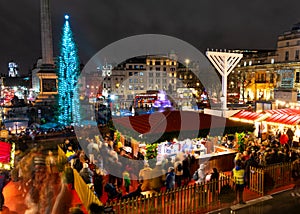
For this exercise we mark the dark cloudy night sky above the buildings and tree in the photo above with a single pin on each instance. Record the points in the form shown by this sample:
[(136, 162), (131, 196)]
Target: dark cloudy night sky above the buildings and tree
[(222, 24)]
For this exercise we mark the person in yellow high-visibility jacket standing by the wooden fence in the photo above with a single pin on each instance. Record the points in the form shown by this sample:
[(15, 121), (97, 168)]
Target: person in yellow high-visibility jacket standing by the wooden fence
[(238, 174)]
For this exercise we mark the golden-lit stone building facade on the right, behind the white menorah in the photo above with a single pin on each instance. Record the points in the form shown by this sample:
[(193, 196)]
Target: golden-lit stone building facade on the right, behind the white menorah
[(261, 73)]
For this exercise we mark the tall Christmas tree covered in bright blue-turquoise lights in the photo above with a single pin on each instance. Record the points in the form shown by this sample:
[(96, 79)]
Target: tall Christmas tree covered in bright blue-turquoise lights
[(68, 72)]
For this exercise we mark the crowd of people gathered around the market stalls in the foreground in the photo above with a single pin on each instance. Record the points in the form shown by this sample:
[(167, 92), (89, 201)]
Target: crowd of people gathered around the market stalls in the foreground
[(112, 172)]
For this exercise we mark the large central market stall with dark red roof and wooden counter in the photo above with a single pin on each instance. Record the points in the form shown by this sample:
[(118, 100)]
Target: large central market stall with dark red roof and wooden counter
[(165, 126)]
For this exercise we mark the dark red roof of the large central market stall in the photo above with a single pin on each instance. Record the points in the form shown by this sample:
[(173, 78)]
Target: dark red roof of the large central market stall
[(171, 121)]
